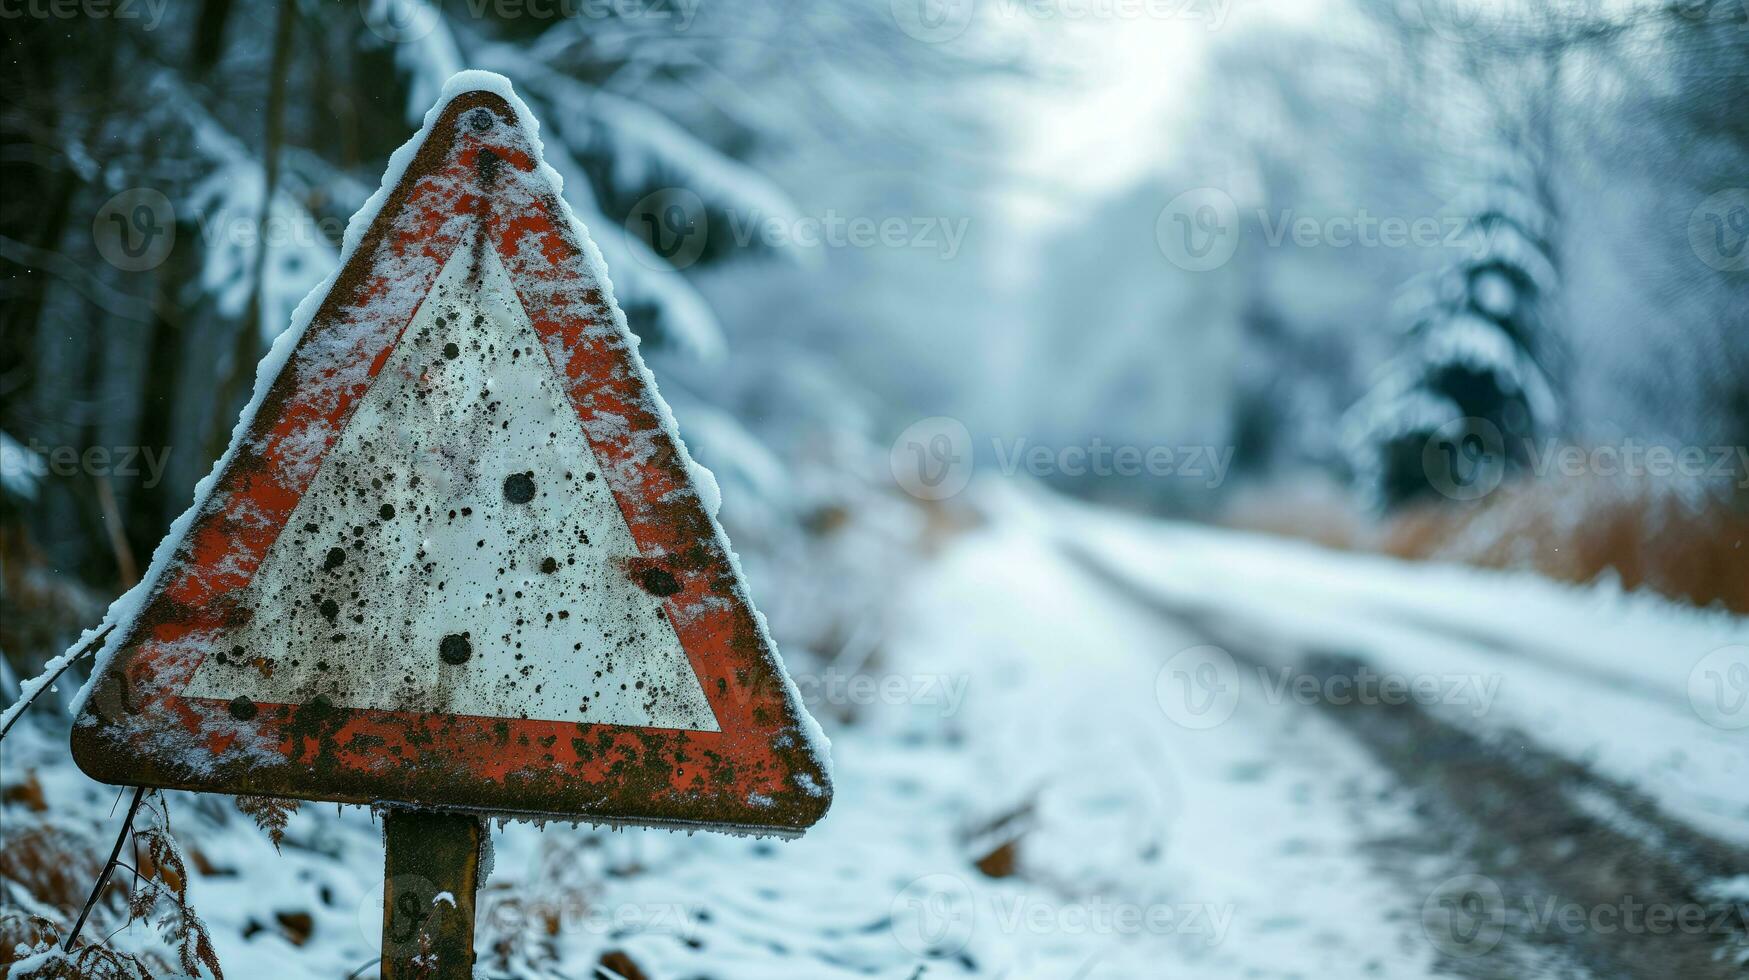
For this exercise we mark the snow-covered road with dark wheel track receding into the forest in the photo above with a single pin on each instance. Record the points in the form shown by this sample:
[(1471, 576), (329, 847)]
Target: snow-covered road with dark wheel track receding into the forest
[(1578, 759)]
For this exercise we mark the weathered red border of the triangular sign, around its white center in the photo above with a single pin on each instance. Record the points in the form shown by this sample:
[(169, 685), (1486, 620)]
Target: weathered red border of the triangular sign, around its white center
[(763, 773)]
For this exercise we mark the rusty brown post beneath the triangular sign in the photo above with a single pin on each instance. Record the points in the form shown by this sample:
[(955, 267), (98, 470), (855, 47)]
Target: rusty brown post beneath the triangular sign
[(431, 878)]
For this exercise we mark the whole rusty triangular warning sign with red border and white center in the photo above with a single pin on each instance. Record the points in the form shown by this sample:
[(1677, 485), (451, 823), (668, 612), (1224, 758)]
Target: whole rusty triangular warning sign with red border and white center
[(456, 556)]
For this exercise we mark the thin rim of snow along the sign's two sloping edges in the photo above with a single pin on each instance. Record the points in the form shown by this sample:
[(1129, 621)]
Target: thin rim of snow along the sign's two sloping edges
[(125, 612)]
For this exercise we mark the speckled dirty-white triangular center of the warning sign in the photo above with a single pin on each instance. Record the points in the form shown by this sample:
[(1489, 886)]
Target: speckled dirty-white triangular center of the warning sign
[(459, 550)]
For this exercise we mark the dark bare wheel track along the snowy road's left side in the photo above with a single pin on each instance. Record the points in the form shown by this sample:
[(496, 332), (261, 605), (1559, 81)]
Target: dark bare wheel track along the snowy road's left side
[(1547, 830)]
